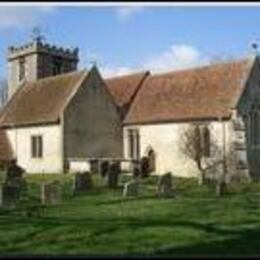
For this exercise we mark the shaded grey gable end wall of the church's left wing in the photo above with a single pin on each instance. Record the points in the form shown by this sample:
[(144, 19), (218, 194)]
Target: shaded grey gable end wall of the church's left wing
[(92, 127)]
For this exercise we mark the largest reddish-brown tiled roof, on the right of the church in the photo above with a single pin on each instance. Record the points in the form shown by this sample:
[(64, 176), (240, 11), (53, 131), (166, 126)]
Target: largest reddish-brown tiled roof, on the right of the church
[(207, 92)]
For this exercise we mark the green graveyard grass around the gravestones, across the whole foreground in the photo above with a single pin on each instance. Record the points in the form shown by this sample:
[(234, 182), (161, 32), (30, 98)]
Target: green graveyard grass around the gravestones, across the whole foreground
[(101, 222)]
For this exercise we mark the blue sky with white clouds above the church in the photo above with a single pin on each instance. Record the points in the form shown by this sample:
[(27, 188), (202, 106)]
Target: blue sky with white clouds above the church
[(123, 39)]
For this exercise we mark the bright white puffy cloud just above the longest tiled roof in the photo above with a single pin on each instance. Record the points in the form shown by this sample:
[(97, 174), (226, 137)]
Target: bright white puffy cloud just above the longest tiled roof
[(175, 58)]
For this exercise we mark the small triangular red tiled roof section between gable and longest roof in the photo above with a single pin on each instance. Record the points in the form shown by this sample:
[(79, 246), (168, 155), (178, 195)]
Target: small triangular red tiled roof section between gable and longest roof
[(123, 88)]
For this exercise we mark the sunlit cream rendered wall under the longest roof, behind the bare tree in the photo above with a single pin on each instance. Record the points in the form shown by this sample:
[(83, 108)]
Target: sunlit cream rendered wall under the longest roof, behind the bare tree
[(165, 141)]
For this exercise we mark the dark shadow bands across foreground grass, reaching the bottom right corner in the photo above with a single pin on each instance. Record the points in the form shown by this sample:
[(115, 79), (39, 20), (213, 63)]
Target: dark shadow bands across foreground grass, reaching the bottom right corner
[(234, 242)]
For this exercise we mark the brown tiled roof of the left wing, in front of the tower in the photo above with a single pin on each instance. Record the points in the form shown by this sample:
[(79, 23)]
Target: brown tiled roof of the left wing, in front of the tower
[(41, 101)]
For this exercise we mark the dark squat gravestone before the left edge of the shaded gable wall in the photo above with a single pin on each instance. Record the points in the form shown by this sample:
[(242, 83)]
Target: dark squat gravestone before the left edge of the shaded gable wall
[(82, 182)]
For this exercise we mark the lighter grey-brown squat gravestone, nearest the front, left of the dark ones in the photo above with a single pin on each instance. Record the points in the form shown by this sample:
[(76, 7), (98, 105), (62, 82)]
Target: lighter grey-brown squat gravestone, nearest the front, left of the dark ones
[(51, 193)]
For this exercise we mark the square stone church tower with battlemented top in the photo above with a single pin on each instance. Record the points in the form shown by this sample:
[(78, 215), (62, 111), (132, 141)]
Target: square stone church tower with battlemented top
[(38, 60)]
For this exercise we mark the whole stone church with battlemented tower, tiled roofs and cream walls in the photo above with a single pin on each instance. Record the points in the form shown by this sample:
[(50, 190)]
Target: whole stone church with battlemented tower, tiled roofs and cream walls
[(60, 119)]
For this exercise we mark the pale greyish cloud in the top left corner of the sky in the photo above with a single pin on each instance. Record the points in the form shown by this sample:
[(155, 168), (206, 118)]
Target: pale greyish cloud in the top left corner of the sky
[(22, 16)]
